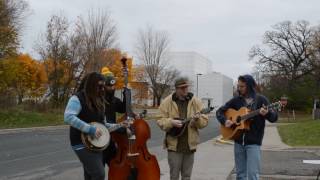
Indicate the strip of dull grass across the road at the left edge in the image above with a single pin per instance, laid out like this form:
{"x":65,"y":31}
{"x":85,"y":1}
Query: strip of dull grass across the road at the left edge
{"x":17,"y":118}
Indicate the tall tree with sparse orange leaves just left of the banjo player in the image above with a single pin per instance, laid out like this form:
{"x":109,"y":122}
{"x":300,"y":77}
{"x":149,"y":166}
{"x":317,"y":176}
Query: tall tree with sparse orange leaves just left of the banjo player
{"x":55,"y":53}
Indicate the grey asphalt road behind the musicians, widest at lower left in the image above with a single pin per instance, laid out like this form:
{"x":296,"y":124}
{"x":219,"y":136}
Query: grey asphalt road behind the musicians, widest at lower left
{"x":39,"y":154}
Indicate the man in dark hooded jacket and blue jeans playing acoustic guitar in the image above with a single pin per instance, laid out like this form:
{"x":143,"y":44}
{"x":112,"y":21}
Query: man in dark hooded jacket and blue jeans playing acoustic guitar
{"x":247,"y":153}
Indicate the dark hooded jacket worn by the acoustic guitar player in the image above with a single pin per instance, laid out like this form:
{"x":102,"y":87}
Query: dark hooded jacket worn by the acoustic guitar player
{"x":256,"y":132}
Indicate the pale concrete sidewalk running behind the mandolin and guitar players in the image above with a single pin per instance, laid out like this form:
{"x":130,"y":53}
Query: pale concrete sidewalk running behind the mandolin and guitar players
{"x":214,"y":161}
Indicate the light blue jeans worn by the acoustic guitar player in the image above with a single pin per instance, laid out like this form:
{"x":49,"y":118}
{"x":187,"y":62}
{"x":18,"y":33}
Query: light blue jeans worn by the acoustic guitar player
{"x":247,"y":160}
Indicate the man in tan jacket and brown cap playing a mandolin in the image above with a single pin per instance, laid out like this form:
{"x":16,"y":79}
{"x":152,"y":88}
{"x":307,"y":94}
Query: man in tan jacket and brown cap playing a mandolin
{"x":181,"y":104}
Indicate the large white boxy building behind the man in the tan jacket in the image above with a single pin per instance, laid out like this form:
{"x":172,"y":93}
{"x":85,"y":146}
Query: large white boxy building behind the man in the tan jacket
{"x":214,"y":88}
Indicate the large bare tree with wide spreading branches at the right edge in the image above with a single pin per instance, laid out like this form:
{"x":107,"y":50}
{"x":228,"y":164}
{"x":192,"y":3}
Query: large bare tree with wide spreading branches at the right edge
{"x":289,"y":64}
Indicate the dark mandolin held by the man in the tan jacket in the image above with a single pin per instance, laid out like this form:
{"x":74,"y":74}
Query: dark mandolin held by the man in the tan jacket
{"x":178,"y":131}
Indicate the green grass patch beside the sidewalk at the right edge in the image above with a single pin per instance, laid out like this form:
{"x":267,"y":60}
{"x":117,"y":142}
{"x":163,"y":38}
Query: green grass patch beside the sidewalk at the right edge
{"x":302,"y":132}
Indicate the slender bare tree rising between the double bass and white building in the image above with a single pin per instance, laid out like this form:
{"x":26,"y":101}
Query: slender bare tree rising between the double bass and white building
{"x":151,"y":47}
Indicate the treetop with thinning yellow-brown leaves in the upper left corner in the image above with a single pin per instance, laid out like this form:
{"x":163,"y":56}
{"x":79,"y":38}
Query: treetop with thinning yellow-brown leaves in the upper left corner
{"x":12,"y":14}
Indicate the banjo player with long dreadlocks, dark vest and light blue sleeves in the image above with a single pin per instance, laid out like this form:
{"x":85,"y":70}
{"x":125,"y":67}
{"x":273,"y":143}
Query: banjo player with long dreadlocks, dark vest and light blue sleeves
{"x":87,"y":105}
